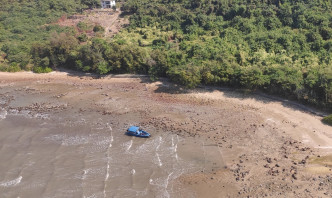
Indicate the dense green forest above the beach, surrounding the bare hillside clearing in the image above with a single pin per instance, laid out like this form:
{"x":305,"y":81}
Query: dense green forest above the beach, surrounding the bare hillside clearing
{"x":281,"y":47}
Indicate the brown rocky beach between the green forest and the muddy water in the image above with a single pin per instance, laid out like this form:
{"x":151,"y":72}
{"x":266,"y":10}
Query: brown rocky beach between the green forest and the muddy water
{"x":271,"y":148}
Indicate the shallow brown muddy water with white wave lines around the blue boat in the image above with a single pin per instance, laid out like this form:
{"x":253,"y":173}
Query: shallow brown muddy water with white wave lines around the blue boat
{"x":45,"y":155}
